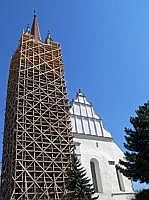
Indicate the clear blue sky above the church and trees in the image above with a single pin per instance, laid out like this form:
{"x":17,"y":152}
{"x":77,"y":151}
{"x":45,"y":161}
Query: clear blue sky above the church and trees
{"x":105,"y":45}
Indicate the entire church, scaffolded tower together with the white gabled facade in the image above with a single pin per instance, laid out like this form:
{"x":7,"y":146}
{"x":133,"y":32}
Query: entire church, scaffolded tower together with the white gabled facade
{"x":38,"y":139}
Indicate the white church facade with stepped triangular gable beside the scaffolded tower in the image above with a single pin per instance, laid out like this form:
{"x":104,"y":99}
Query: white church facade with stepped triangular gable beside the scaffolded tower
{"x":98,"y":152}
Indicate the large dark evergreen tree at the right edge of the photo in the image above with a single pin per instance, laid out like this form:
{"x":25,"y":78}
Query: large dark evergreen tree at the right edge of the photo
{"x":136,"y":165}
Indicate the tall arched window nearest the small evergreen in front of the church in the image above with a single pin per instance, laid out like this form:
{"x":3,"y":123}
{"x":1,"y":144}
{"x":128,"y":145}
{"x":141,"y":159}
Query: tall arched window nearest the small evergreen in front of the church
{"x":96,"y":177}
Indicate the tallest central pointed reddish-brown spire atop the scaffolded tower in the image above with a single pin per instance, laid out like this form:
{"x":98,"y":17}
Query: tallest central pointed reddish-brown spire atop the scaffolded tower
{"x":35,"y":28}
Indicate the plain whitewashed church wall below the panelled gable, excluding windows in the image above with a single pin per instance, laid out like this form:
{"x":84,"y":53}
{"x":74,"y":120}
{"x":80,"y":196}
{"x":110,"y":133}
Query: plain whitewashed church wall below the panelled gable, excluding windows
{"x":104,"y":152}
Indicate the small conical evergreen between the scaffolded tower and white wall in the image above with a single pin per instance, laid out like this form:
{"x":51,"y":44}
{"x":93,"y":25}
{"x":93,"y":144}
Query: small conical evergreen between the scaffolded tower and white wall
{"x":78,"y":183}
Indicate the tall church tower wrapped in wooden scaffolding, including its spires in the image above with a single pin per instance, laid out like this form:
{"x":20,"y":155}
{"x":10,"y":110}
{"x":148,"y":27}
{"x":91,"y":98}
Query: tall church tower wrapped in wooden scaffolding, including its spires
{"x":37,"y":136}
